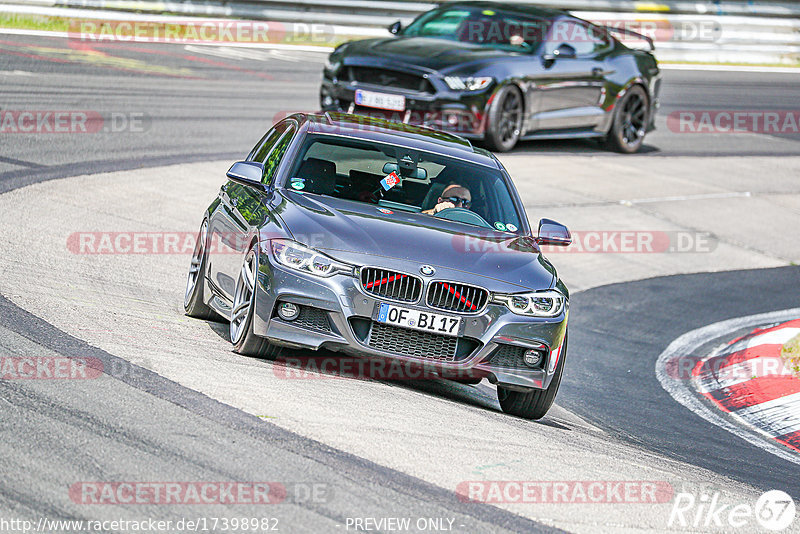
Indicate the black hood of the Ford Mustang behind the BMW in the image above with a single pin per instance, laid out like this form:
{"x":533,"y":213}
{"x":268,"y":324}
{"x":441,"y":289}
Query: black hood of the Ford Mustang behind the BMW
{"x":433,"y":54}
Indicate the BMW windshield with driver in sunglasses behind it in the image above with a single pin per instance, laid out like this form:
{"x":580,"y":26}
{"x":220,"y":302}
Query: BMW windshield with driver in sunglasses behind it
{"x":402,"y":179}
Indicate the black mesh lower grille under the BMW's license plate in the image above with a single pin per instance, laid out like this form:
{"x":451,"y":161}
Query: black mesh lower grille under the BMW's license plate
{"x":417,"y":344}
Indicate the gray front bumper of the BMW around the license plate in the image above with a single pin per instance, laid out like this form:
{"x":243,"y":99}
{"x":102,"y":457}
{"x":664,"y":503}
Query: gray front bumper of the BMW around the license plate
{"x":336,"y":314}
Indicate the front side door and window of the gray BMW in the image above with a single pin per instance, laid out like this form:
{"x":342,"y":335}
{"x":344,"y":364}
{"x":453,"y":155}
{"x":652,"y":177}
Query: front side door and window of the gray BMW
{"x":241,"y":208}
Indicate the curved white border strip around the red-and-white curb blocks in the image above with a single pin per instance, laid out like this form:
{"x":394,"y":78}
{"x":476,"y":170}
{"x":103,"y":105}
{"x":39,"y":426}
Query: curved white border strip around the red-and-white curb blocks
{"x":686,"y":344}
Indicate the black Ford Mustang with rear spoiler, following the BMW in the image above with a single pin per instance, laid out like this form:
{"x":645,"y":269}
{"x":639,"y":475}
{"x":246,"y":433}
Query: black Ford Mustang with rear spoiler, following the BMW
{"x":500,"y":73}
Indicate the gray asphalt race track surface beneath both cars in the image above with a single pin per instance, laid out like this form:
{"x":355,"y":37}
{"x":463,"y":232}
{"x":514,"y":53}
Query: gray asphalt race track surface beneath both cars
{"x":175,"y":404}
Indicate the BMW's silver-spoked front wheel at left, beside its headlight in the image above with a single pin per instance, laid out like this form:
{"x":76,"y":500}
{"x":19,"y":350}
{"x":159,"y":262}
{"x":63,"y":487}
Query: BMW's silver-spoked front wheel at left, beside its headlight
{"x":241,"y":330}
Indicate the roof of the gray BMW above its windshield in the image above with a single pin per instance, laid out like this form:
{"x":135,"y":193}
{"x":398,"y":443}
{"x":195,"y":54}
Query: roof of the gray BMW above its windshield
{"x":382,"y":130}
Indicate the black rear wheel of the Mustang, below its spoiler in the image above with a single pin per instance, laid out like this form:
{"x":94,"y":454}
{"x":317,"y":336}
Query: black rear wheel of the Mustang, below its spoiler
{"x":629,"y":125}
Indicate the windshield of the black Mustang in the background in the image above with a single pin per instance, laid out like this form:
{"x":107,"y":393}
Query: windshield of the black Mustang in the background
{"x":481,"y":26}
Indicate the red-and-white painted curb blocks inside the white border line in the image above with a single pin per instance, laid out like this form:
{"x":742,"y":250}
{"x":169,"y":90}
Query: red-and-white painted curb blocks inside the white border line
{"x":748,"y":379}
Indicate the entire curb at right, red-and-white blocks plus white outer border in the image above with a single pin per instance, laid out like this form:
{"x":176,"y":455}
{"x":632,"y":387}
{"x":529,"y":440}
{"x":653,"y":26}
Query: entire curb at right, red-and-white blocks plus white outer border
{"x":744,"y":378}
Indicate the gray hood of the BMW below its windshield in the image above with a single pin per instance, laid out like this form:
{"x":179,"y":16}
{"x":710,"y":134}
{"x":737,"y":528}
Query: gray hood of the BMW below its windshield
{"x":350,"y":230}
